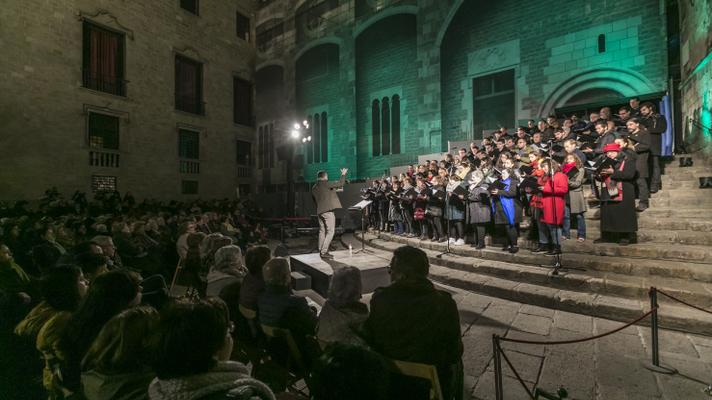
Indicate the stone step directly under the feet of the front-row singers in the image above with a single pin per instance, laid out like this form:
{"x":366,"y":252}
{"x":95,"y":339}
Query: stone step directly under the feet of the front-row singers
{"x":620,"y":265}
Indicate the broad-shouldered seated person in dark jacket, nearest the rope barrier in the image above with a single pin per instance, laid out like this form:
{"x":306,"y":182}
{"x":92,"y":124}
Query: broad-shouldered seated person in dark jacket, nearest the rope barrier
{"x":410,"y":320}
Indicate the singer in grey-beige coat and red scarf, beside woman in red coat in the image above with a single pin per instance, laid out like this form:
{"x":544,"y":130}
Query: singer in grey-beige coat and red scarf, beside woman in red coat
{"x":575,"y":201}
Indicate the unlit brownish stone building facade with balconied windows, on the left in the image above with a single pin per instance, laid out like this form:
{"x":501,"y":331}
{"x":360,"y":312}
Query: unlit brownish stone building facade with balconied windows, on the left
{"x":67,"y":122}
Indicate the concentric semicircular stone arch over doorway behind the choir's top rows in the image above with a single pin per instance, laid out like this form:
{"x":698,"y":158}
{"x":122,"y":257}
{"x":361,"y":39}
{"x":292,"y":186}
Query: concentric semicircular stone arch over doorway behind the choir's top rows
{"x":624,"y":81}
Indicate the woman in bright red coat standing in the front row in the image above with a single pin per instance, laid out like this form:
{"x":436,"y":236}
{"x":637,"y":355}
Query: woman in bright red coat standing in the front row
{"x":553,"y":201}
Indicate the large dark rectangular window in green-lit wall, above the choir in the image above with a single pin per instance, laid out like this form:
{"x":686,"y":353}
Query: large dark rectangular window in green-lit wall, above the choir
{"x":493,"y":101}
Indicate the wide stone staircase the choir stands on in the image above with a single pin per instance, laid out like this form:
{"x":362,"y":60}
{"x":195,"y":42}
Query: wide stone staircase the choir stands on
{"x":673,"y":253}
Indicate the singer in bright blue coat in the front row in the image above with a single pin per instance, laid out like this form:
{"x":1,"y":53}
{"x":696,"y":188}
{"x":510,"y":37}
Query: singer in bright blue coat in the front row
{"x":506,"y":208}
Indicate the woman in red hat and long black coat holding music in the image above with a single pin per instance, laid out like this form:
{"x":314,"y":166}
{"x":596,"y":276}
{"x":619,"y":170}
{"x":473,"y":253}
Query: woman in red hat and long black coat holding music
{"x":617,"y":179}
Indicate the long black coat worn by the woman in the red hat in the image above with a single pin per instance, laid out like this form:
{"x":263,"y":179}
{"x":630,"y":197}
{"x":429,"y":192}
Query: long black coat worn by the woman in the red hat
{"x":620,"y":216}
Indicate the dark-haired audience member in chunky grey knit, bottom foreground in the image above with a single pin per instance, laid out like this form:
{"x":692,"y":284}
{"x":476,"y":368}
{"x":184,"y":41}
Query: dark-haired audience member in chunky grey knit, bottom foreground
{"x":191,"y":354}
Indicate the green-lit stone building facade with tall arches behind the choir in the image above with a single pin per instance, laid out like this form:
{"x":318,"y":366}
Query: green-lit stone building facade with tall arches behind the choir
{"x":448,"y":63}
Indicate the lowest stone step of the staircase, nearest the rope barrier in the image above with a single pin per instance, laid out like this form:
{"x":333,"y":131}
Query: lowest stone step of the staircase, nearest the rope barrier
{"x":598,"y":305}
